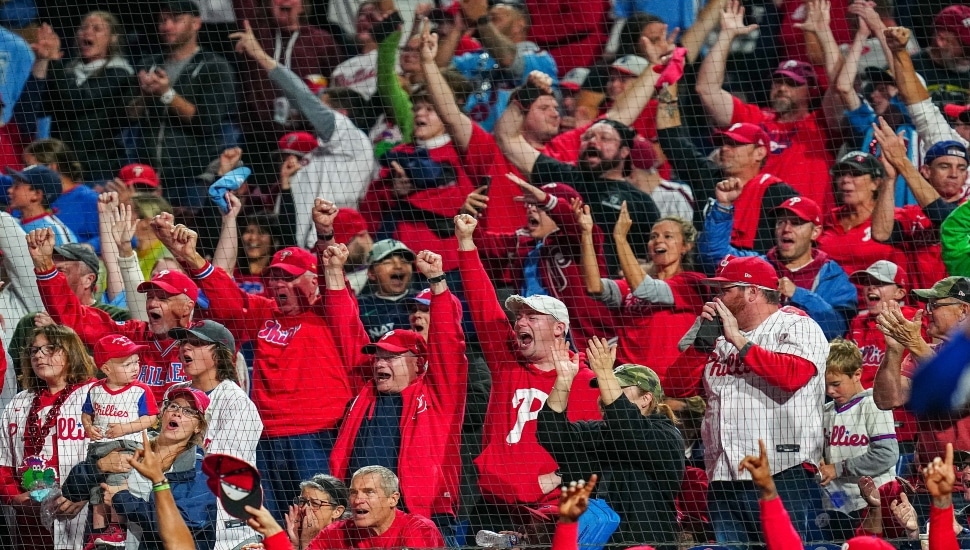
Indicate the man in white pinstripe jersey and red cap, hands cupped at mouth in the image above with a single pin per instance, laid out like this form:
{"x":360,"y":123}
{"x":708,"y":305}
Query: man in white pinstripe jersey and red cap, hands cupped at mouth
{"x":762,"y":371}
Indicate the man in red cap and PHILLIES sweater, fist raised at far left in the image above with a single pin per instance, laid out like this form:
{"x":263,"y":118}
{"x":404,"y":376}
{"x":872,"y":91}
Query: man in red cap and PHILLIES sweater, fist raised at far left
{"x":171,"y":300}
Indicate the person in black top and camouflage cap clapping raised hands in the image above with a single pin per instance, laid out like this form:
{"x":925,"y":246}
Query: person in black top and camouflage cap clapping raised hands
{"x":636,"y":448}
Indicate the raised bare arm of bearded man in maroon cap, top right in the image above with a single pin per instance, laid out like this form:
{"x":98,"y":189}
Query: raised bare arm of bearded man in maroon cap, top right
{"x":710,"y":78}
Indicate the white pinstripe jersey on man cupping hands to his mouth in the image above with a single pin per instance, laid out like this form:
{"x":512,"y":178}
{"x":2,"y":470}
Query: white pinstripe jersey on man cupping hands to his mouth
{"x":742,"y":407}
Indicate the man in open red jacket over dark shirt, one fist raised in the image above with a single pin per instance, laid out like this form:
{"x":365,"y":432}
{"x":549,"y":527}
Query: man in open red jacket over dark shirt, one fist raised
{"x":409,"y":418}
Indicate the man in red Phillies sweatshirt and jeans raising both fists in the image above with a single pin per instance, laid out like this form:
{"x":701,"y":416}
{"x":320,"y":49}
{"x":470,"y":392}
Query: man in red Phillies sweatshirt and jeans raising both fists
{"x":306,"y":338}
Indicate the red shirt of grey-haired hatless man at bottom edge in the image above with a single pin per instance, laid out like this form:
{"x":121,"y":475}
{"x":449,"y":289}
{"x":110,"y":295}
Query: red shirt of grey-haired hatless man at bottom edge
{"x":407,"y":531}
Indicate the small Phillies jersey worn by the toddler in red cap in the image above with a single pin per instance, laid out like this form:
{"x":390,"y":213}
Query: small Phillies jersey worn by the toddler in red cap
{"x":121,"y":406}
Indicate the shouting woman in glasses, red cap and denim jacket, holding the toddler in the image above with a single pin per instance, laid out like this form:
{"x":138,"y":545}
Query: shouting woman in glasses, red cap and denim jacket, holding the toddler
{"x":182,"y":429}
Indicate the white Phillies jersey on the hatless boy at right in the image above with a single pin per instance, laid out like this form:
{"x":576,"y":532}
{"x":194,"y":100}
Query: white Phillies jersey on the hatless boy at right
{"x":849,"y":429}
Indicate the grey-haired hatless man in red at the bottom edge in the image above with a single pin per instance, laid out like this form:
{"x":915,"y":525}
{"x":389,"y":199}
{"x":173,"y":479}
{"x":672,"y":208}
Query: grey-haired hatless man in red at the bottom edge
{"x":376,"y":522}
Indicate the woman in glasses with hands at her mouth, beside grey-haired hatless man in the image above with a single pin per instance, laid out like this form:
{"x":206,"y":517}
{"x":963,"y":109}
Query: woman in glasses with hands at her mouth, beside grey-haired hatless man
{"x":323,"y":500}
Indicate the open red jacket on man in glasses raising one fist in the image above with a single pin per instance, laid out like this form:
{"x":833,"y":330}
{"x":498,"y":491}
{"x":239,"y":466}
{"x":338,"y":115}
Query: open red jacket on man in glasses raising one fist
{"x":429,"y":463}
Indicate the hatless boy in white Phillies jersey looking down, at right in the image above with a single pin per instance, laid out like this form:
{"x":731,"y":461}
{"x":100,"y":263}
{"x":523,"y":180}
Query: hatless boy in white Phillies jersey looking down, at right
{"x":860,"y":440}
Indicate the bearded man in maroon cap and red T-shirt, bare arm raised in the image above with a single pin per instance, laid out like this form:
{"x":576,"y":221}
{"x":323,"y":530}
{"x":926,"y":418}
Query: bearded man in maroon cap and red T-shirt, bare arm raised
{"x":797,"y":153}
